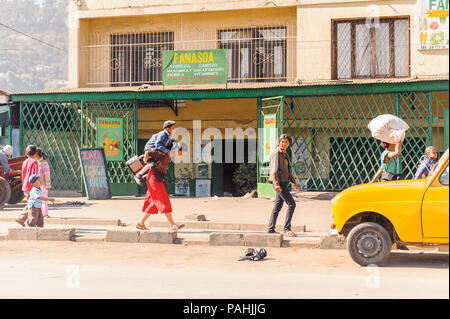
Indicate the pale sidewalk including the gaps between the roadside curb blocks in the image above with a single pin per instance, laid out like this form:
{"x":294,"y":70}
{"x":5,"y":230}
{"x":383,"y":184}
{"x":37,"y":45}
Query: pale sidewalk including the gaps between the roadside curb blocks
{"x":92,"y":219}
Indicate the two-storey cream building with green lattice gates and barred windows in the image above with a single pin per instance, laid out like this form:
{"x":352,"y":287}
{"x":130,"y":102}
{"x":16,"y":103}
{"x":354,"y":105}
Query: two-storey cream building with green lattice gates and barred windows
{"x":320,"y":69}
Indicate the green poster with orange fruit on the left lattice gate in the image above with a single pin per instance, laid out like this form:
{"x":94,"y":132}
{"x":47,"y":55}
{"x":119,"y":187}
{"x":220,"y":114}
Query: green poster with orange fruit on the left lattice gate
{"x":110,"y":137}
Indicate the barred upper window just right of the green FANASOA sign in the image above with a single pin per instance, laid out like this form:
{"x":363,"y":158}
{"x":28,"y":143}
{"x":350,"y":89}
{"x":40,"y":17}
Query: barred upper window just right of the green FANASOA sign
{"x":255,"y":54}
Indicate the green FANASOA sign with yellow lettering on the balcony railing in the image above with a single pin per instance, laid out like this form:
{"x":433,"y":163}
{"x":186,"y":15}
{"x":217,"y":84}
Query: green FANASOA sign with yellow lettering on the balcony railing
{"x":194,"y":67}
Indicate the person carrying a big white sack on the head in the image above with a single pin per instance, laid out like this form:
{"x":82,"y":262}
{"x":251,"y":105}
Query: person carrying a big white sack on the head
{"x":390,"y":130}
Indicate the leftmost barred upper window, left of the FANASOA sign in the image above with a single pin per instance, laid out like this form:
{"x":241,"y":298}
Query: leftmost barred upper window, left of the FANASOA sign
{"x":136,"y":59}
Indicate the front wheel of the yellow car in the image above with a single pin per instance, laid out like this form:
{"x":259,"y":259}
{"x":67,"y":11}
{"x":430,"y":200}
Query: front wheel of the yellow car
{"x":369,"y":244}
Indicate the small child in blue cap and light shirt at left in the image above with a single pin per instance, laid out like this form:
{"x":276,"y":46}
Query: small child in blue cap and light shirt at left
{"x":34,"y":205}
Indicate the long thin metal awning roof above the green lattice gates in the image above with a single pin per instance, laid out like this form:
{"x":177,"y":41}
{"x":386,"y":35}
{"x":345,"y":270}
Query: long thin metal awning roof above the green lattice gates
{"x":236,"y":86}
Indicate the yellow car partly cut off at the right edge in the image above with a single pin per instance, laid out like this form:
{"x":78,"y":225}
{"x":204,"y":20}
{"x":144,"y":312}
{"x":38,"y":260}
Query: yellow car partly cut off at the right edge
{"x":411,"y":212}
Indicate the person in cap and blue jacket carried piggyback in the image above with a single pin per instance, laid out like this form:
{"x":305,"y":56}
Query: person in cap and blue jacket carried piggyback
{"x":160,"y":141}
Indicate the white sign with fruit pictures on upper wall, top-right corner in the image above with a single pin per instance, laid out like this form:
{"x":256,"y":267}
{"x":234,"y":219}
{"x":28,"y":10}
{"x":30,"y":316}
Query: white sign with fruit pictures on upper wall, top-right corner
{"x":433,"y":28}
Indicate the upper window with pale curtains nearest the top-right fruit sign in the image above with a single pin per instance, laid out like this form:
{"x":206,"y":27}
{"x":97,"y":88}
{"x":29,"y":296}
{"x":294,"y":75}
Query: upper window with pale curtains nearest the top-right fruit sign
{"x":371,"y":48}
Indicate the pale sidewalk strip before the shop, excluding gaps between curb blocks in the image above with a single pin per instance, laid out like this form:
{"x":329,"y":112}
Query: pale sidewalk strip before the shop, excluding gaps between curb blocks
{"x":313,"y":210}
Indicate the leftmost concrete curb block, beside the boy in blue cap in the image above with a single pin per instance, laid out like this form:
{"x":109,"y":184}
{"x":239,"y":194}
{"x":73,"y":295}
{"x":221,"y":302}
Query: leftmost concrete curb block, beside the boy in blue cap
{"x":37,"y":233}
